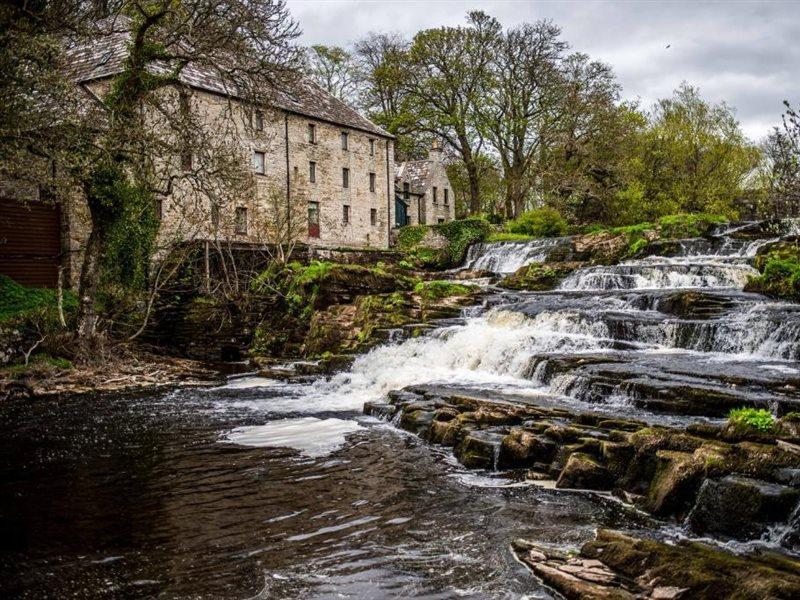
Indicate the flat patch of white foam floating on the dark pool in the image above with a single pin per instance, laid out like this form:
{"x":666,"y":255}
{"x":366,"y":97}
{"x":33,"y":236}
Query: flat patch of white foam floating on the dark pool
{"x":311,"y":436}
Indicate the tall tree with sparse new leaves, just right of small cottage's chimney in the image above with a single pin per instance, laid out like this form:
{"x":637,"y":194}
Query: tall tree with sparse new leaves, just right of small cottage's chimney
{"x":448,"y":69}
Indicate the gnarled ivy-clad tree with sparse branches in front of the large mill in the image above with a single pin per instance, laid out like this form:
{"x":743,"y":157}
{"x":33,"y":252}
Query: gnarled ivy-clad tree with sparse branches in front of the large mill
{"x":243,"y":46}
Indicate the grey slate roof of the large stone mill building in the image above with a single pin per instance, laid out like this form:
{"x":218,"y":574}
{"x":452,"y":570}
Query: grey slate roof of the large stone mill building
{"x":106,"y":55}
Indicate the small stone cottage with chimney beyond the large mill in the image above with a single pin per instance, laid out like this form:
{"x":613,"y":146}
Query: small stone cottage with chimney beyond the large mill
{"x":423,"y":194}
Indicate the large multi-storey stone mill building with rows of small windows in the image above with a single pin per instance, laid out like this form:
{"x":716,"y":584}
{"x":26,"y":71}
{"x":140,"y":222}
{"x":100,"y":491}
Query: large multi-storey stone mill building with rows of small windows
{"x":321,"y":172}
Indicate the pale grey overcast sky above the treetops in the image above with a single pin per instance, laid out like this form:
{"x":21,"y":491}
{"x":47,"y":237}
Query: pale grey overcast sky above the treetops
{"x":745,"y":53}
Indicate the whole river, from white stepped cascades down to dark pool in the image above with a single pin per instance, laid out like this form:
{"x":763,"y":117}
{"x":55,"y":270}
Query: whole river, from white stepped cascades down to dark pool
{"x":266,"y":489}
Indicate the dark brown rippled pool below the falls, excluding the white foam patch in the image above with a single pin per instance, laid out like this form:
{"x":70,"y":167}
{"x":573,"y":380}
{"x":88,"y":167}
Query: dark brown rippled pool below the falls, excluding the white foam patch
{"x":121,"y":497}
